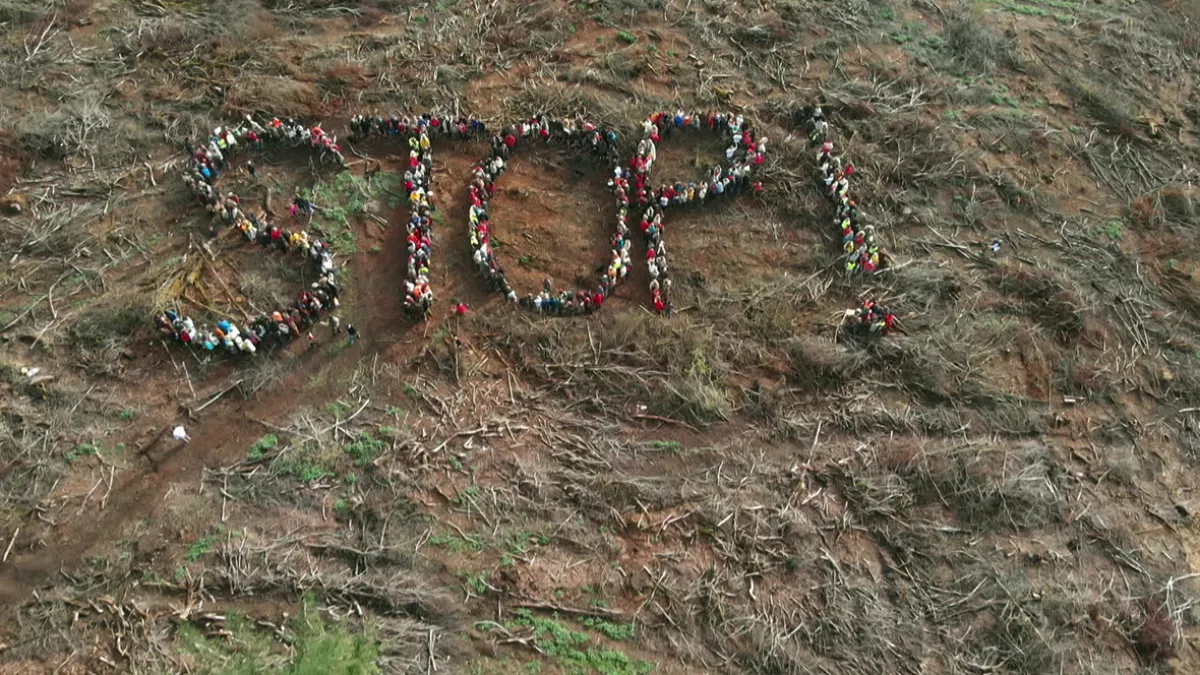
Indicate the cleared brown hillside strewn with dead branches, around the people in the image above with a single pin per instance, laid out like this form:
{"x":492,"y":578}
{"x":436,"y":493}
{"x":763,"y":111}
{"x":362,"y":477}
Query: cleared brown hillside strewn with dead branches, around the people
{"x":1006,"y":485}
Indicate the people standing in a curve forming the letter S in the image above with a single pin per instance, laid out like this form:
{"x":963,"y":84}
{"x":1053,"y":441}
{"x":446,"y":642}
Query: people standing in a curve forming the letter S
{"x":208,"y":163}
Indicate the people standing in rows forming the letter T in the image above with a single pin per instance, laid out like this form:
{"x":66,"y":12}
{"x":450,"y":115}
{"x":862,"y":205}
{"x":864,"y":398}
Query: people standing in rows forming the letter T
{"x":419,"y":132}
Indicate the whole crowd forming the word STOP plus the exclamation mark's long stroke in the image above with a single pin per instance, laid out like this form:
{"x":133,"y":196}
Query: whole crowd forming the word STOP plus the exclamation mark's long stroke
{"x":631,"y":186}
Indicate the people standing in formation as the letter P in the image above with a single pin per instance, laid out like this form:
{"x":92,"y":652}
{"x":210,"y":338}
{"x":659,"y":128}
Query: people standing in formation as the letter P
{"x":747,"y":152}
